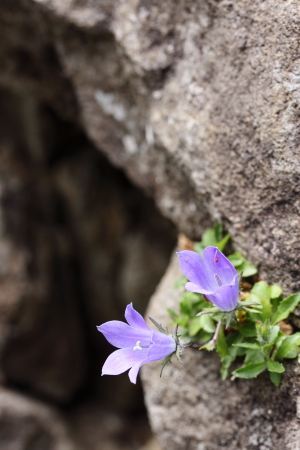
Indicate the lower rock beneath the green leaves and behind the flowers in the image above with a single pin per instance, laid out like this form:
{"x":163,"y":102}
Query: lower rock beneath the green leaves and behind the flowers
{"x":191,"y":408}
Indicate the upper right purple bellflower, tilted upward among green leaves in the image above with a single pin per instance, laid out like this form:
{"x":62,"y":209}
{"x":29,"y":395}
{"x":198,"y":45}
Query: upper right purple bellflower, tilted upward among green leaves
{"x":213,"y":276}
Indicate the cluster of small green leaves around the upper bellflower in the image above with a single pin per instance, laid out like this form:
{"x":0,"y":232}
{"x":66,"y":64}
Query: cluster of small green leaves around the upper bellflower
{"x":258,"y":336}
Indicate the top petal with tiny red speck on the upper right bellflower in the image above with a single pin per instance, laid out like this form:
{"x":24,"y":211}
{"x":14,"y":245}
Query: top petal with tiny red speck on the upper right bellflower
{"x":219,"y":265}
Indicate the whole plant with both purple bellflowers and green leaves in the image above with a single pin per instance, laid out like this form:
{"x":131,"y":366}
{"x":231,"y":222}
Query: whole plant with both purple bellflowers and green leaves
{"x":225,"y":307}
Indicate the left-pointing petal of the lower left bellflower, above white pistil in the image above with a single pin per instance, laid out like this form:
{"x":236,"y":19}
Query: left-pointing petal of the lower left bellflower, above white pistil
{"x":122,"y":335}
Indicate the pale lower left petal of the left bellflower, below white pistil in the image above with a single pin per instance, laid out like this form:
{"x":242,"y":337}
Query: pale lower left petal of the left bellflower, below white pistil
{"x":122,"y":360}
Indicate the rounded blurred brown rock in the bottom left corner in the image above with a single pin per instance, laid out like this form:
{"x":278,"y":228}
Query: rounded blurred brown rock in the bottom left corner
{"x":27,"y":424}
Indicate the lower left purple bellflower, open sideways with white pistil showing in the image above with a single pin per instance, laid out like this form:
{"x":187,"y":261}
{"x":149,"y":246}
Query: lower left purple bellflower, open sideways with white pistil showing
{"x":138,"y":344}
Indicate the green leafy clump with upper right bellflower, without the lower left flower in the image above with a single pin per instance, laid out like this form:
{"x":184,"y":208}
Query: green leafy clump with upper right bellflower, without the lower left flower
{"x":251,"y":323}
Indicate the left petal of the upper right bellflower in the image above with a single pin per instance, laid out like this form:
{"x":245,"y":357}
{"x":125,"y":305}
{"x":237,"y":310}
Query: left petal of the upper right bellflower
{"x":195,"y":269}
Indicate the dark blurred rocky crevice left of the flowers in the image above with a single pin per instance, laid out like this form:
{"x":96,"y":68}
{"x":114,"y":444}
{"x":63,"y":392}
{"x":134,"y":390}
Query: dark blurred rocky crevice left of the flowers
{"x":78,"y":243}
